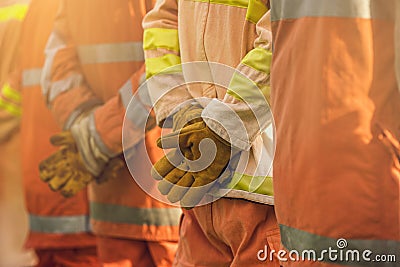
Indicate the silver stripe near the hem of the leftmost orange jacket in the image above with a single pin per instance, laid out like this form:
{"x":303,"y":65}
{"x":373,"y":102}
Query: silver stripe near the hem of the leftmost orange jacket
{"x":59,"y":224}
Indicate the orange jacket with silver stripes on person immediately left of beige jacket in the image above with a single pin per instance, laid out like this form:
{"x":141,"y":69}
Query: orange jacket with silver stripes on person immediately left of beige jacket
{"x":94,"y":49}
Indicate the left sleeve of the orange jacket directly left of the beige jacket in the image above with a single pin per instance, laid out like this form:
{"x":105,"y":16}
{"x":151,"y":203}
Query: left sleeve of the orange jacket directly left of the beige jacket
{"x":63,"y":83}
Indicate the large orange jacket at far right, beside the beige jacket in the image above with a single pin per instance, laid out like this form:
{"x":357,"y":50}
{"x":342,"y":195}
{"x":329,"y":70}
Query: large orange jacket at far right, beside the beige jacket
{"x":336,"y":105}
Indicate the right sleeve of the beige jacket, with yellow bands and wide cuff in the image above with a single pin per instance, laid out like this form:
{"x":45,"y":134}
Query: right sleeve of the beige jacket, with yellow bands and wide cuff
{"x":248,"y":92}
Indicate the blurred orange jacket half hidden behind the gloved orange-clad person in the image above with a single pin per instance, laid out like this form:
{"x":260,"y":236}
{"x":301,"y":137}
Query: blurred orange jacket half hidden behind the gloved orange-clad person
{"x":55,"y":222}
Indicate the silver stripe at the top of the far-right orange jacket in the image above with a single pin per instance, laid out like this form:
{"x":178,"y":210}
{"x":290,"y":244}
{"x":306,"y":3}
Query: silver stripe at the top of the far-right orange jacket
{"x":294,"y":9}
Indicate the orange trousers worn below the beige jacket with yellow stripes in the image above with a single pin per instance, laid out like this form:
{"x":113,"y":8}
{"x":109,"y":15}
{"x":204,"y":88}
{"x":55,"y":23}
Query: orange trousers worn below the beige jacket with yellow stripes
{"x":228,"y":232}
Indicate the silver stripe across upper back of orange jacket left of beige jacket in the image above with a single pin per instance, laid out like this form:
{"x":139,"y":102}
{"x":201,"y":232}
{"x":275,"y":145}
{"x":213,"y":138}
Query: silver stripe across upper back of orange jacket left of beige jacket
{"x":110,"y":53}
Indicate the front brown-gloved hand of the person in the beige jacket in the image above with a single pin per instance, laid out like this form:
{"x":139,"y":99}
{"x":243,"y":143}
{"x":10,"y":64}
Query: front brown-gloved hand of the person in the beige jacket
{"x":198,"y":168}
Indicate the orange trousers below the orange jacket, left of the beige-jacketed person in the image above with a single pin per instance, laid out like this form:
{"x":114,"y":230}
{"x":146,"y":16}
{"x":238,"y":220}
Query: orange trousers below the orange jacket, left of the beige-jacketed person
{"x":115,"y":252}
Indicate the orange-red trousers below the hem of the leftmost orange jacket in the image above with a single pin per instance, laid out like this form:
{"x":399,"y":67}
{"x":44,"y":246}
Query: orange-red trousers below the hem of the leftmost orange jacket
{"x":78,"y":257}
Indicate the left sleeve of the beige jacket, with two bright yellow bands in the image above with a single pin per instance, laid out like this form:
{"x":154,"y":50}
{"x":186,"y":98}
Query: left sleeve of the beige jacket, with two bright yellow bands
{"x":162,"y":57}
